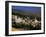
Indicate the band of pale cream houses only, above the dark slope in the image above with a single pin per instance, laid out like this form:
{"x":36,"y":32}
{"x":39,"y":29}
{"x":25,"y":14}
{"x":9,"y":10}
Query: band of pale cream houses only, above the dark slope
{"x":27,"y":21}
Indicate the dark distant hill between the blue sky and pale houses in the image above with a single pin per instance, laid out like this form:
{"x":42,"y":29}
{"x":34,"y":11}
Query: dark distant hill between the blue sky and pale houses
{"x":26,"y":13}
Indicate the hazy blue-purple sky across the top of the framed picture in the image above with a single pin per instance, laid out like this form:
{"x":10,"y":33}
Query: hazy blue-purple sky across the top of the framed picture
{"x":27,"y":8}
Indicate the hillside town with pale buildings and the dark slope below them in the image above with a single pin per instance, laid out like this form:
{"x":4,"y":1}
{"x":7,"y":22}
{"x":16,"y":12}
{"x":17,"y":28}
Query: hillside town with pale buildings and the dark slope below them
{"x":26,"y":22}
